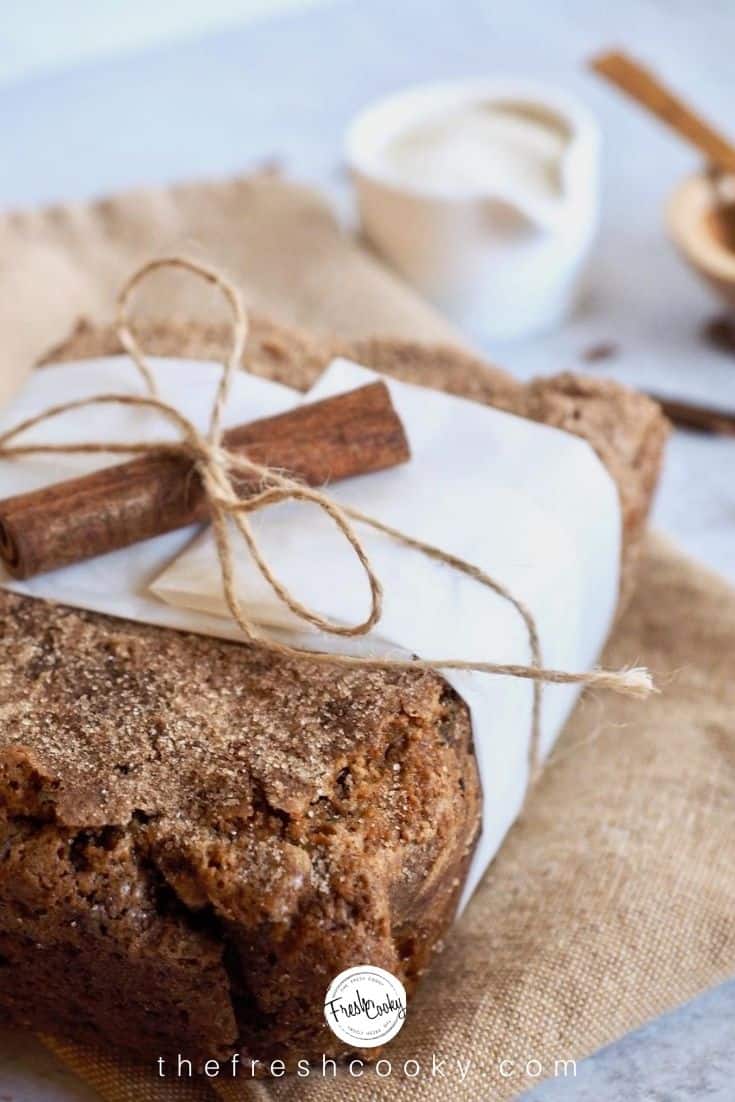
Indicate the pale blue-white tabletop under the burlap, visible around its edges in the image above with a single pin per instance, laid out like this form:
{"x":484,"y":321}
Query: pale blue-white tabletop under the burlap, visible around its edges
{"x":286,"y":89}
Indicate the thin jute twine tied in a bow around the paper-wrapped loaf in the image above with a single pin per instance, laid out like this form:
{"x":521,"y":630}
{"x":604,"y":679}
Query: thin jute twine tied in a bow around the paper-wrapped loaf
{"x":217,"y":468}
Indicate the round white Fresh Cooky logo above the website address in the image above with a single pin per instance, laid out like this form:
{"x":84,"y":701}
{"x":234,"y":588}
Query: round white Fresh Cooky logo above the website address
{"x":365,"y":1007}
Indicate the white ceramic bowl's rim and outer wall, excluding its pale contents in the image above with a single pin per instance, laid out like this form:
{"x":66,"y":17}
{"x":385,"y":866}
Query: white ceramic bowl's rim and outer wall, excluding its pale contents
{"x":500,"y":266}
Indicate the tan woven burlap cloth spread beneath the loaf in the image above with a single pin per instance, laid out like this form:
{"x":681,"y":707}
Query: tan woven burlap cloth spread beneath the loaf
{"x":613,"y":899}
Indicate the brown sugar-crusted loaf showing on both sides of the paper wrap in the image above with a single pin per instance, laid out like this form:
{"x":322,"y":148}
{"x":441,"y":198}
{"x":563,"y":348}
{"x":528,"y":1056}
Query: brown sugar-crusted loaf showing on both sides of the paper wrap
{"x":197,"y":837}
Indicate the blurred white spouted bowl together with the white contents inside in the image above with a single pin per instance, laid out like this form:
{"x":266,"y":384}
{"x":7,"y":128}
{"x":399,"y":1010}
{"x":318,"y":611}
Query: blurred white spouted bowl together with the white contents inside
{"x":484,"y":197}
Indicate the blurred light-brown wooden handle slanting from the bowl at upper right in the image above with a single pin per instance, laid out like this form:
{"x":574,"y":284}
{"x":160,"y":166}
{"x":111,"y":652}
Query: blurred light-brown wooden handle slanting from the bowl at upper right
{"x":646,"y":89}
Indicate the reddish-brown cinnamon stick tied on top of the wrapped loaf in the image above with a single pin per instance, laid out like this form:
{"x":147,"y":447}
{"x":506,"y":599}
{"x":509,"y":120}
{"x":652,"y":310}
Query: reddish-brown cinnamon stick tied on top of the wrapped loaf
{"x":320,"y":442}
